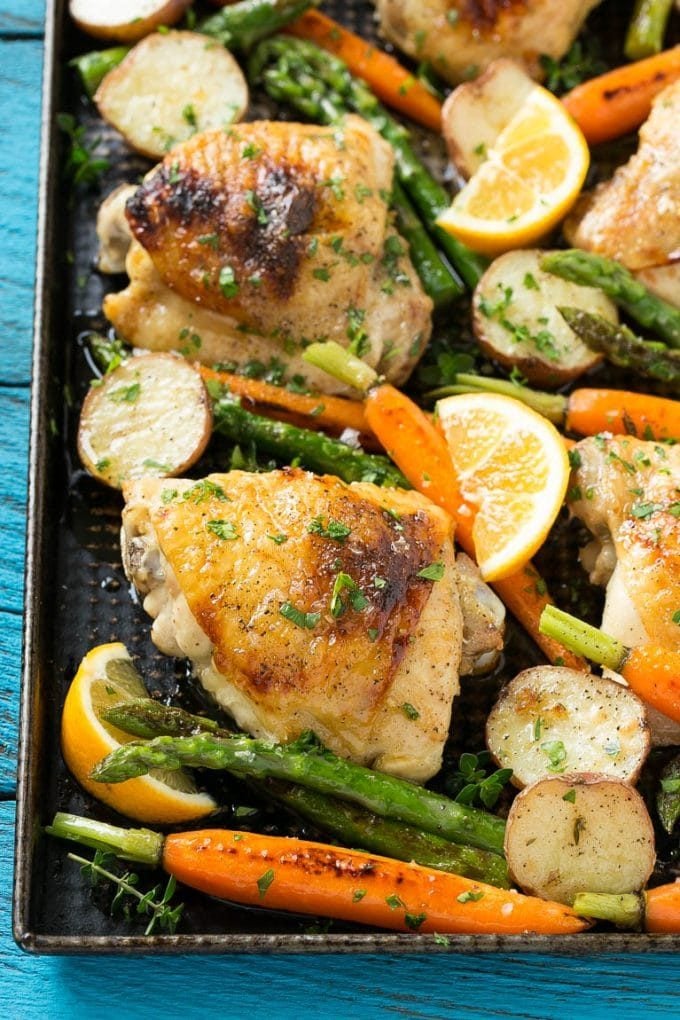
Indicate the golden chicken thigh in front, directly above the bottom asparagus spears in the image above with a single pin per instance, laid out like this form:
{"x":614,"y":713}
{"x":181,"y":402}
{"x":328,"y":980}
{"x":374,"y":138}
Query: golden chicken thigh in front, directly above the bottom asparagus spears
{"x":393,"y":641}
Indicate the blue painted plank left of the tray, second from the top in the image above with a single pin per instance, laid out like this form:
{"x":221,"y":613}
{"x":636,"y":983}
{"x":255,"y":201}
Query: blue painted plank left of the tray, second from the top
{"x":21,"y":70}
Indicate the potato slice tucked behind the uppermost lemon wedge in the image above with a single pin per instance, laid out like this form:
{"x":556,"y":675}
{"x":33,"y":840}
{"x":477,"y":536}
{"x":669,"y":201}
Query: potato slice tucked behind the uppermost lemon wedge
{"x":477,"y":113}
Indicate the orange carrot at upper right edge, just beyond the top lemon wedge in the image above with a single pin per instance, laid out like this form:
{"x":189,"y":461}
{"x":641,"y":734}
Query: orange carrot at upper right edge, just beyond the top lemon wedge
{"x":619,"y":101}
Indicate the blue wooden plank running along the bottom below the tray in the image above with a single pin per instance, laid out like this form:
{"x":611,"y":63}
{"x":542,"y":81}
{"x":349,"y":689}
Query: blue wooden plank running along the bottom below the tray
{"x":367,"y":987}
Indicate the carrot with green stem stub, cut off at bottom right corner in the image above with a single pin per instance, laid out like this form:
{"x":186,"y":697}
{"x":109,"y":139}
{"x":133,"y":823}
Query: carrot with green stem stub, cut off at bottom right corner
{"x":656,"y":910}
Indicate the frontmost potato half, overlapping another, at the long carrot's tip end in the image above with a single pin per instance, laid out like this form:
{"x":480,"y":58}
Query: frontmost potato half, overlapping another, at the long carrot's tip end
{"x":580,"y":834}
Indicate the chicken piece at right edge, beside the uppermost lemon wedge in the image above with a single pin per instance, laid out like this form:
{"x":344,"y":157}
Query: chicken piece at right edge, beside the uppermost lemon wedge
{"x":636,"y":217}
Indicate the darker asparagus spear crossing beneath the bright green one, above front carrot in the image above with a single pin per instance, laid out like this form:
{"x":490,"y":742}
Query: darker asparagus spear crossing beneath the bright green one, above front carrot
{"x":353,"y":826}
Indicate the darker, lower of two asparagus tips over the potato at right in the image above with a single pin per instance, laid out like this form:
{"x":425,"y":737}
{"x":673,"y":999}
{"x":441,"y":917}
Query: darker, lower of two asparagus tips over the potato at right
{"x":623,"y":348}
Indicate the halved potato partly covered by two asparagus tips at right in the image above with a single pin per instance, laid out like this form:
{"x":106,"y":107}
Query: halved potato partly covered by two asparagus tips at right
{"x":516,"y":320}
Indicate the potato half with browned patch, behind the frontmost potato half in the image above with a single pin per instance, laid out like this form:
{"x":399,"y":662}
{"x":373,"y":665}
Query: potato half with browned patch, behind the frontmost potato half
{"x":551,"y":720}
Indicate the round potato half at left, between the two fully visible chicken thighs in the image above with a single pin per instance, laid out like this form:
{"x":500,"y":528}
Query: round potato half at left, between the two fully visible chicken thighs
{"x":151,"y":416}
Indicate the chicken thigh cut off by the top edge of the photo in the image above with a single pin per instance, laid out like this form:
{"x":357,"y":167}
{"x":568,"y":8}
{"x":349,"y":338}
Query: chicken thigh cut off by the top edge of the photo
{"x":457,"y":36}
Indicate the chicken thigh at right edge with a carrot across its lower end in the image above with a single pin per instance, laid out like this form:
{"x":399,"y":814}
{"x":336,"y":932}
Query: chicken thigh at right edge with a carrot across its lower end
{"x":631,"y":499}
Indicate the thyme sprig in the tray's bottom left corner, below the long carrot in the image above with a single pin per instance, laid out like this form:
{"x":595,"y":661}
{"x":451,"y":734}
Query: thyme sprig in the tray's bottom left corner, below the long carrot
{"x":153,"y":904}
